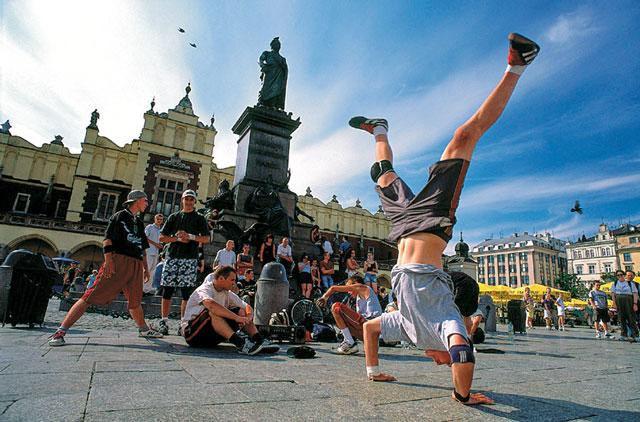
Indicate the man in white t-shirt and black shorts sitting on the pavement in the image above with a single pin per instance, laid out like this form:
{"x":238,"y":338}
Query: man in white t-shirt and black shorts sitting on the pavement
{"x":214,"y":314}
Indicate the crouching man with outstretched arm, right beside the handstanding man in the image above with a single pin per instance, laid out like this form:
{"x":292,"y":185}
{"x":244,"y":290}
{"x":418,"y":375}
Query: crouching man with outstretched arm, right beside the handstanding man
{"x":350,"y":322}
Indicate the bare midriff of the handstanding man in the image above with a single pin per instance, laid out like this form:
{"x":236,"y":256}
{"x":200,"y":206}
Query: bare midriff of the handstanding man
{"x":421,"y":248}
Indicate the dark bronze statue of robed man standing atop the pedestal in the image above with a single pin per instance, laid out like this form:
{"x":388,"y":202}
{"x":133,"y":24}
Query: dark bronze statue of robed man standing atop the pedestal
{"x":273,"y":75}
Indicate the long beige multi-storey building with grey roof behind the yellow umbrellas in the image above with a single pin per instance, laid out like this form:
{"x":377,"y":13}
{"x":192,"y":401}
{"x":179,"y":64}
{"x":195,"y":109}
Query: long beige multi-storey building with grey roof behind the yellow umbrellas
{"x":520,"y":259}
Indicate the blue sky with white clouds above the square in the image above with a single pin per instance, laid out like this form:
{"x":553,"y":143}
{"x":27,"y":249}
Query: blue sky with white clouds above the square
{"x":570,"y":131}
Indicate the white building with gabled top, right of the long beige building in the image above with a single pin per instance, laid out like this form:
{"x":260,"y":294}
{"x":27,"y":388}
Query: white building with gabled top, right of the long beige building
{"x":589,"y":258}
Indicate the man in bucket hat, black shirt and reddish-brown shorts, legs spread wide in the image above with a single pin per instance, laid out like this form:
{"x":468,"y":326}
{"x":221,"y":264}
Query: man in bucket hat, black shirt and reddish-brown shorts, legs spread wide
{"x":124,"y":269}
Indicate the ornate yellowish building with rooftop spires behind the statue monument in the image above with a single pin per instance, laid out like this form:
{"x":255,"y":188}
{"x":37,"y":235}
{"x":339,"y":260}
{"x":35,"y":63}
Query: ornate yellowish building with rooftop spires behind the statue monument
{"x":58,"y":203}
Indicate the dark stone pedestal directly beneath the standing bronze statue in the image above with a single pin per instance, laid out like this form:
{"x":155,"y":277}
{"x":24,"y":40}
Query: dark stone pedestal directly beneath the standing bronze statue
{"x":263,"y":154}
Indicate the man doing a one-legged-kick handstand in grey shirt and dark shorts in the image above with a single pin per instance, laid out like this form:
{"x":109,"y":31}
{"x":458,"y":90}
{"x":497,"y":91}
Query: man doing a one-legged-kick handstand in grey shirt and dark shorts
{"x":422,"y":225}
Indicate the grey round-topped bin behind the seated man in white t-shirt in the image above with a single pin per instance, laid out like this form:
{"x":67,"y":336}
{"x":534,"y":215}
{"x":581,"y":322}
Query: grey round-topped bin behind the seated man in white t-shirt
{"x":272,"y":293}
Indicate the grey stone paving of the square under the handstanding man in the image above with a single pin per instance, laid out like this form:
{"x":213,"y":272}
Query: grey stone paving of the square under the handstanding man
{"x":106,"y":372}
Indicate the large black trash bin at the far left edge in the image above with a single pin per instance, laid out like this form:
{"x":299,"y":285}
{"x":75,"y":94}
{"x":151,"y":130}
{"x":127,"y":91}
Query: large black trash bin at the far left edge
{"x":26,"y":279}
